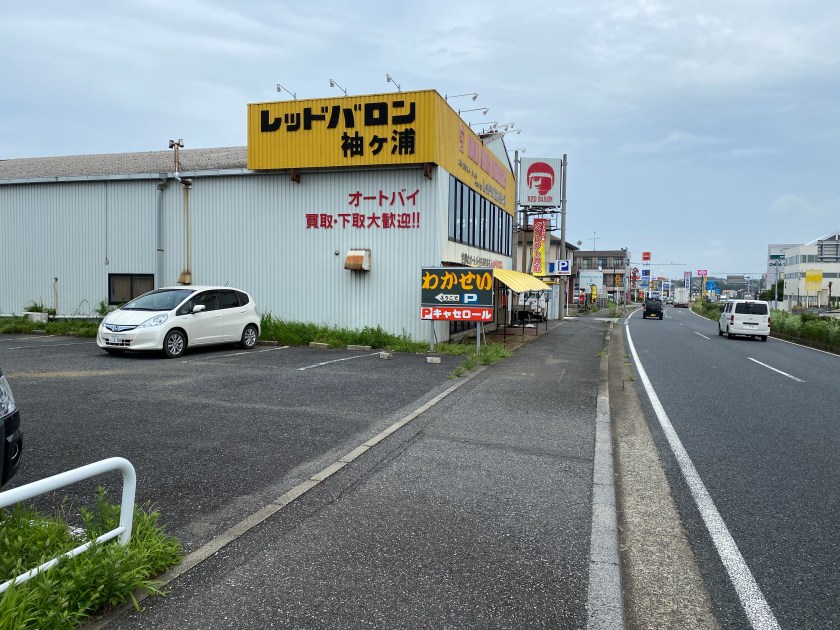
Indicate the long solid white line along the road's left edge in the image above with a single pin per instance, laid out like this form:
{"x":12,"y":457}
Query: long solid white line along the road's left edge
{"x":752,"y":599}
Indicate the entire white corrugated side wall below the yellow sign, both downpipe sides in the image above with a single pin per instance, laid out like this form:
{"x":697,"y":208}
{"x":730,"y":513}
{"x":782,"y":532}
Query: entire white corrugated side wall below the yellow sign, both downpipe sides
{"x":247,"y":231}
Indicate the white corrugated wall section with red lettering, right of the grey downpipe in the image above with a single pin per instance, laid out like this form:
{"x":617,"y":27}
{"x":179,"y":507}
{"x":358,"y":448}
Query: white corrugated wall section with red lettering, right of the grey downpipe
{"x":250,"y":232}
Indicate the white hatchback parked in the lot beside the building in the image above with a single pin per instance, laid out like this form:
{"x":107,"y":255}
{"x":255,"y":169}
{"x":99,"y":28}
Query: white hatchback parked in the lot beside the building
{"x":173,"y":318}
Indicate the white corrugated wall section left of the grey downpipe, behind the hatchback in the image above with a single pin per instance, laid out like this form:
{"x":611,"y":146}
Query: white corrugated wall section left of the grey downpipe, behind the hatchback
{"x":58,"y":230}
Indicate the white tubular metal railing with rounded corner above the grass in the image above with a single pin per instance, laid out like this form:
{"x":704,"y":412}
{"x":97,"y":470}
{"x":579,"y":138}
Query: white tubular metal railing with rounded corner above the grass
{"x":123,"y":532}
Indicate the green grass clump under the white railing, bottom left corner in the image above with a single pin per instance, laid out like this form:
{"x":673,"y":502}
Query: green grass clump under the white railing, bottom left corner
{"x":106,"y":575}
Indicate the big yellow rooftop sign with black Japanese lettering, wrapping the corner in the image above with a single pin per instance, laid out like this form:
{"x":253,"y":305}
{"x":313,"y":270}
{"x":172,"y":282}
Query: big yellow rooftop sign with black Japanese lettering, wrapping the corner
{"x":376,"y":130}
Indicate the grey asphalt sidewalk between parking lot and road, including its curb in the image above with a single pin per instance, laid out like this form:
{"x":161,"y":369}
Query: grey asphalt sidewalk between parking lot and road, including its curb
{"x":476,"y":513}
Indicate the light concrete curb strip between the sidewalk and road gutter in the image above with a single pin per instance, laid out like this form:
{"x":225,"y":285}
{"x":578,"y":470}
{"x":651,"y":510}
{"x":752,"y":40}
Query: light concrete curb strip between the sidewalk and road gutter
{"x":604,"y":605}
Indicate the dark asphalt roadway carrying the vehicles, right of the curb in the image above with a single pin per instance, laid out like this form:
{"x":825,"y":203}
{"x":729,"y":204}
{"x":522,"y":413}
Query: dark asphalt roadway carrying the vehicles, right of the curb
{"x":759,"y":422}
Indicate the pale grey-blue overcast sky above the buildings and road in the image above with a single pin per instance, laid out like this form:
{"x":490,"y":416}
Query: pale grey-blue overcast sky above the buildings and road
{"x":698,"y":131}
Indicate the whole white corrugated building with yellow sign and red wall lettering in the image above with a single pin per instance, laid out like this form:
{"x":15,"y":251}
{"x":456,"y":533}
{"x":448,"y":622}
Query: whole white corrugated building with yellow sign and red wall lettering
{"x":79,"y":231}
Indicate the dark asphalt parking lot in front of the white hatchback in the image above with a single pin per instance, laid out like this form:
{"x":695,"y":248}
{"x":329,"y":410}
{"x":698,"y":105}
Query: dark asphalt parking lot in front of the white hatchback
{"x":196,"y":428}
